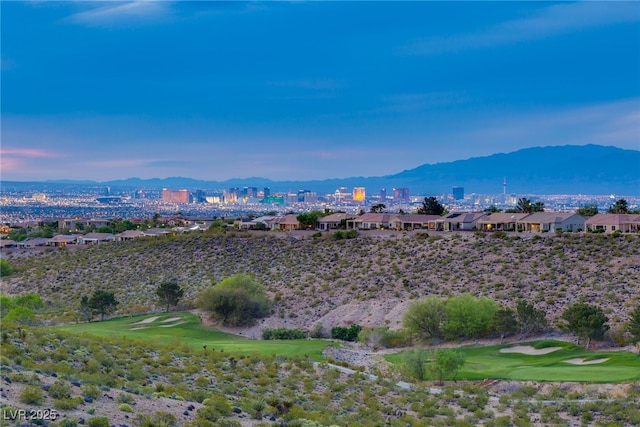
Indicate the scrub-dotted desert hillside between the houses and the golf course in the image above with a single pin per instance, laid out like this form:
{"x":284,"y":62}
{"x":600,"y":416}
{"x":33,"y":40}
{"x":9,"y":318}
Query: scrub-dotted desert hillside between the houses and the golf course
{"x":369,"y":280}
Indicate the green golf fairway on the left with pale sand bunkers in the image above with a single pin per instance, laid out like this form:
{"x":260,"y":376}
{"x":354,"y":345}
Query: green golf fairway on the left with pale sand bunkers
{"x":188,"y":329}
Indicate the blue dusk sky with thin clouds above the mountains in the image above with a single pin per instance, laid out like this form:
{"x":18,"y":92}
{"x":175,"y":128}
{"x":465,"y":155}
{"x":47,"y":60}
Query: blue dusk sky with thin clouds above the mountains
{"x":307,"y":90}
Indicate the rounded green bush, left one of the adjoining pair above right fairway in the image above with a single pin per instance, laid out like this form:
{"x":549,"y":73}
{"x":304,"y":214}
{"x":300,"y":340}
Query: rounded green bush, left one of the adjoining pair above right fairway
{"x":425,"y":317}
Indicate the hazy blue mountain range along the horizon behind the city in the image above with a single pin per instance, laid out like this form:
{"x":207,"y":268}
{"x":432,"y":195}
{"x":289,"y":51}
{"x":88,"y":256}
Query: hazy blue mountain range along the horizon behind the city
{"x":570,"y":169}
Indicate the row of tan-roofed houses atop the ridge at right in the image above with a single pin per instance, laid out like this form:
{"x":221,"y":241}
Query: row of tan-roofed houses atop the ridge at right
{"x":538,"y":222}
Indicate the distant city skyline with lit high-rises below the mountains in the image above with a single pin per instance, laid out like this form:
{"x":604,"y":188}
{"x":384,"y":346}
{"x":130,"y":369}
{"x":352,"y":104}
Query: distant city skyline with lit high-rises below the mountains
{"x":29,"y":204}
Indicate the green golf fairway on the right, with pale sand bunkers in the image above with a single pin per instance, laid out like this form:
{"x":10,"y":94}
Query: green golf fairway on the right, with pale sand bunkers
{"x":488,"y":362}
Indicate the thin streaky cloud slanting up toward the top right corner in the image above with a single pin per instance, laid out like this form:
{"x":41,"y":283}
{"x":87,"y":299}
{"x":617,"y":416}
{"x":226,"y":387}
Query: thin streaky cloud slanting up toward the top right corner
{"x":547,"y":22}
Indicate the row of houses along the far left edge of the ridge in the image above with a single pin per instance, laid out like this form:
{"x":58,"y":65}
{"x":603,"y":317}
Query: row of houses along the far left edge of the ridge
{"x":94,"y":238}
